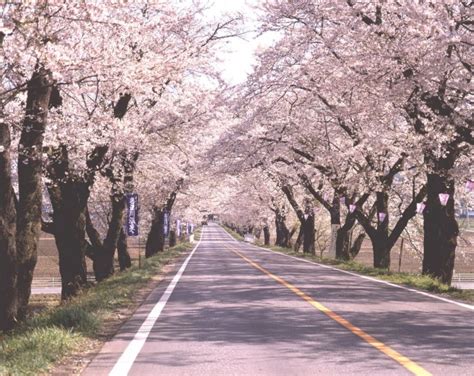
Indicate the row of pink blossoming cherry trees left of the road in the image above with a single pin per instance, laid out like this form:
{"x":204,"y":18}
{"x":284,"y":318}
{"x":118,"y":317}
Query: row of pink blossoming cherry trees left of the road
{"x":97,"y":100}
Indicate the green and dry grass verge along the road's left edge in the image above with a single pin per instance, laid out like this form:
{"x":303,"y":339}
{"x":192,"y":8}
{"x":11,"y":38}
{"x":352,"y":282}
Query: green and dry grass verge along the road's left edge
{"x":53,"y":334}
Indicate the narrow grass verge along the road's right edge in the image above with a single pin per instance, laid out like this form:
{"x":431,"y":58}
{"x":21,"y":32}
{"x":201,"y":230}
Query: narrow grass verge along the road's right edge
{"x":417,"y":281}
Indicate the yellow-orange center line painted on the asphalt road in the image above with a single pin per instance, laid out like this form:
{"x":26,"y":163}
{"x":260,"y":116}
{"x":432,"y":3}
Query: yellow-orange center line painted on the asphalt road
{"x":387,"y":350}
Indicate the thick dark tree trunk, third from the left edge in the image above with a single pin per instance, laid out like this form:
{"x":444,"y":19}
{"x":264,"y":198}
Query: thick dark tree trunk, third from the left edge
{"x":69,"y":202}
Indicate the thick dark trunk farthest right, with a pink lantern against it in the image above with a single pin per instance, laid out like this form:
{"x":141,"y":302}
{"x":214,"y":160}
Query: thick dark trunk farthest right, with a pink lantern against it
{"x":440,"y":229}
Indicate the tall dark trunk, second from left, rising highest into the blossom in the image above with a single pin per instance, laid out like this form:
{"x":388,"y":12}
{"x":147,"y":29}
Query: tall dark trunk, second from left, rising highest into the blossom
{"x":30,"y":183}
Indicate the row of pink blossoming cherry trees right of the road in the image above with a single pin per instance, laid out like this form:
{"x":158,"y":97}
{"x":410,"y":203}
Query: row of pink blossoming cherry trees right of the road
{"x":363,"y":109}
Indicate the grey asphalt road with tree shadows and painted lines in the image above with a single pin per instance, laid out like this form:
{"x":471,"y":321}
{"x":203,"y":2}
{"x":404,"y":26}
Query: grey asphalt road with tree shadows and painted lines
{"x":241,"y":310}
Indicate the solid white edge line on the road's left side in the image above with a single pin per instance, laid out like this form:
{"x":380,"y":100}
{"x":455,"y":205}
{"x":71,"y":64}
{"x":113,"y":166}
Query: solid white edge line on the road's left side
{"x":126,"y":360}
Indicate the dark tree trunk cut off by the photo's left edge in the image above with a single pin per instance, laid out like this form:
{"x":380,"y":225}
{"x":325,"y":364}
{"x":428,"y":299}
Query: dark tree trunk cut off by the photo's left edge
{"x":8,"y":257}
